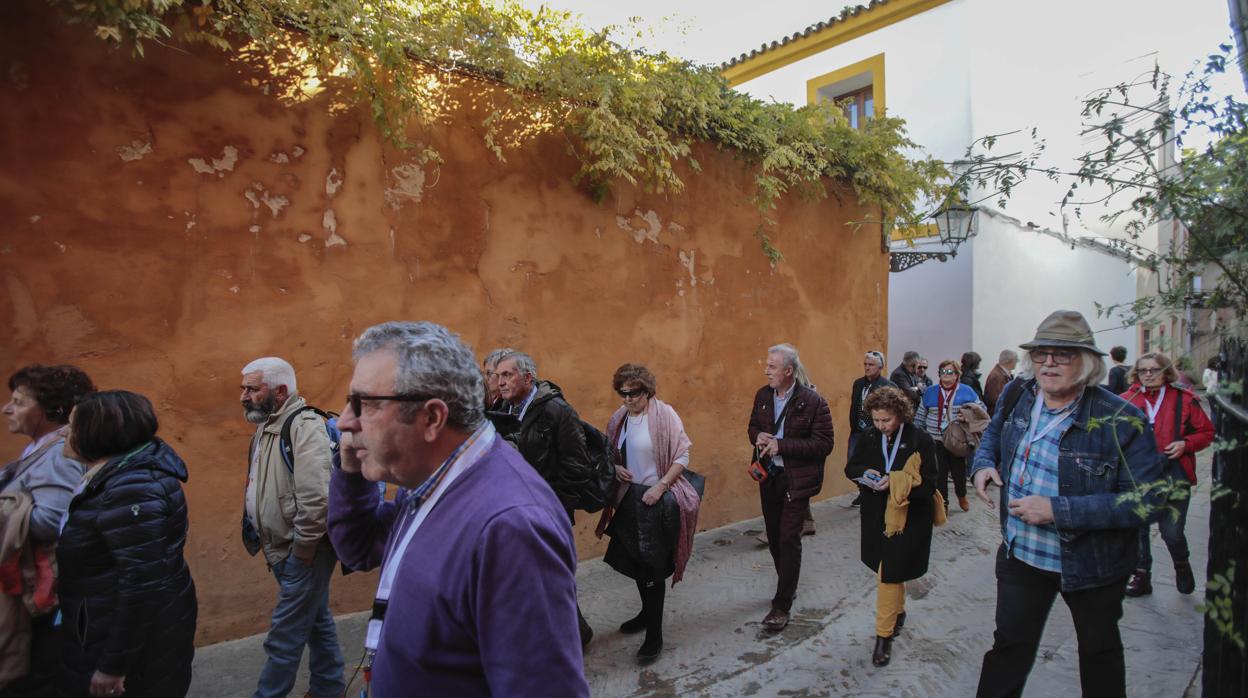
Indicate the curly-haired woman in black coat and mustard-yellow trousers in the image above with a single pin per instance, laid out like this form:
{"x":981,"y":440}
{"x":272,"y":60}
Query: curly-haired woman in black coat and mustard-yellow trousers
{"x":894,"y":465}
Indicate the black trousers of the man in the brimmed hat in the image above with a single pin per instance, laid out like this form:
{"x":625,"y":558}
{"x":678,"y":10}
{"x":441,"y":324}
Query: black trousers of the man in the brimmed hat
{"x":1025,"y":595}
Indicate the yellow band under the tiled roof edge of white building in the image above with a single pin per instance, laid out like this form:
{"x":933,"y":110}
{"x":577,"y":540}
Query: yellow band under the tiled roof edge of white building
{"x":838,"y":33}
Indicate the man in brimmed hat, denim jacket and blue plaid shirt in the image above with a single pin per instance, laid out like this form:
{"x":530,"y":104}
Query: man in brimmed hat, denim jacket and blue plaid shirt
{"x":1078,"y":468}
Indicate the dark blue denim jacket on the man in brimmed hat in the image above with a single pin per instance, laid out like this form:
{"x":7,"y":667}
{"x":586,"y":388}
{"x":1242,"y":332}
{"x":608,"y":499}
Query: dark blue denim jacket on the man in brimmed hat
{"x":1098,"y":465}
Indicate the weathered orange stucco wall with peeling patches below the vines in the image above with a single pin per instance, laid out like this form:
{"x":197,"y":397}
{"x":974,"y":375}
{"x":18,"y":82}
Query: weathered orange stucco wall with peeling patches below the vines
{"x":165,"y":220}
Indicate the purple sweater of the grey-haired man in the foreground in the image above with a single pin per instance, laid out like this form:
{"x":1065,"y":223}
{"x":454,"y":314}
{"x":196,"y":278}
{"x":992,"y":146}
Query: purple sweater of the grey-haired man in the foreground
{"x":485,"y":602}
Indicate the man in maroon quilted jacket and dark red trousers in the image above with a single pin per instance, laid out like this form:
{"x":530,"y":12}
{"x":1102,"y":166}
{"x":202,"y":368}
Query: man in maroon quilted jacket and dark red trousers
{"x":793,"y":430}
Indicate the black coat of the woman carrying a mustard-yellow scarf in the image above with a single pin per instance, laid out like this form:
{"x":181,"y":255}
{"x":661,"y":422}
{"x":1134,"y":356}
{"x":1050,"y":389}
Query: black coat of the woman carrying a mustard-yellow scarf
{"x":905,"y":555}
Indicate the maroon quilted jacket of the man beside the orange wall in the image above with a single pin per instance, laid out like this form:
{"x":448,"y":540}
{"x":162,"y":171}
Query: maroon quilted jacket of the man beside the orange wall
{"x":808,"y":438}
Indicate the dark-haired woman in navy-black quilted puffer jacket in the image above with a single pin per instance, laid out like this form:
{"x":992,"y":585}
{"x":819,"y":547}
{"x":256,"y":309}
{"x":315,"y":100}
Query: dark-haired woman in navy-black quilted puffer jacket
{"x":128,"y":600}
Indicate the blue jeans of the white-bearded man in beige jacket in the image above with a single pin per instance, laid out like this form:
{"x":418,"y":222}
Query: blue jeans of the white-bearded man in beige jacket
{"x":303,"y":617}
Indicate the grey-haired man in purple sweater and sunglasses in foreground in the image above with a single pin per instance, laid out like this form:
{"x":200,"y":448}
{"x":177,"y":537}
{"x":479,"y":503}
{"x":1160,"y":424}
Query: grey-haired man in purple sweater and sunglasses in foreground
{"x":479,"y":591}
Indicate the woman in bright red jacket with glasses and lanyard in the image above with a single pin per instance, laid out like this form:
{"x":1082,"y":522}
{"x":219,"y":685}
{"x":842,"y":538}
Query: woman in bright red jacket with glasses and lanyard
{"x":1181,"y":429}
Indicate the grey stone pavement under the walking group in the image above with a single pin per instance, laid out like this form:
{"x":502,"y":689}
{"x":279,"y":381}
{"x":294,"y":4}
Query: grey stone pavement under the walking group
{"x":716,"y":646}
